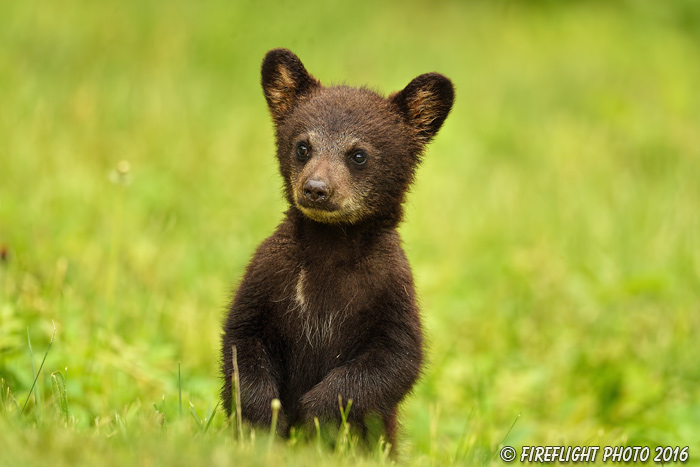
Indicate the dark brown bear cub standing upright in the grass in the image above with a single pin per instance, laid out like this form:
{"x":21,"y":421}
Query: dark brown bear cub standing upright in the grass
{"x":327,"y":306}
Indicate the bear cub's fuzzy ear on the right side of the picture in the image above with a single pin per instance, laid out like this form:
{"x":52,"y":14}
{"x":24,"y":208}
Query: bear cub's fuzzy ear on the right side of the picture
{"x":425,"y":103}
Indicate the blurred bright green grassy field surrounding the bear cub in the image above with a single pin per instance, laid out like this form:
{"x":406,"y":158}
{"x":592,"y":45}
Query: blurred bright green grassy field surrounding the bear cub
{"x":554,"y":229}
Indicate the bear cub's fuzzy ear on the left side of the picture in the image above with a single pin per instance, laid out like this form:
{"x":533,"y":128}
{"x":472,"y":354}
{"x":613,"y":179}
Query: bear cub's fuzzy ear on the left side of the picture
{"x":284,"y":81}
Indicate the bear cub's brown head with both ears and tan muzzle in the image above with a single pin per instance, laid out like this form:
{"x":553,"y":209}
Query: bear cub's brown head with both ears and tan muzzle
{"x":348,"y":155}
